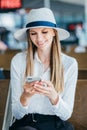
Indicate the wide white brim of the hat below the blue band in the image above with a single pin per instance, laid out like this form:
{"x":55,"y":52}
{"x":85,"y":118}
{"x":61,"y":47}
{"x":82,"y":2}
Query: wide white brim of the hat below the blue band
{"x":21,"y":34}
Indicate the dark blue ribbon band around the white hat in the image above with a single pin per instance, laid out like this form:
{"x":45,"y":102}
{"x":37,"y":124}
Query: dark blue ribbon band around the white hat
{"x":41,"y":23}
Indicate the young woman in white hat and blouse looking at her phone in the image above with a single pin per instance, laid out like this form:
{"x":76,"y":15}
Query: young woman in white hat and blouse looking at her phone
{"x":44,"y":104}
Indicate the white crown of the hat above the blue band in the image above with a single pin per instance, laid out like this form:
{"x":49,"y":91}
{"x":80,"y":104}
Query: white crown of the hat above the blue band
{"x":41,"y":14}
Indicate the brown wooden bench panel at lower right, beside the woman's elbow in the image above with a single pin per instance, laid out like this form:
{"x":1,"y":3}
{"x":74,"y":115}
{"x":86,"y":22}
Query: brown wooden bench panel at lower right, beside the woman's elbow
{"x":79,"y":116}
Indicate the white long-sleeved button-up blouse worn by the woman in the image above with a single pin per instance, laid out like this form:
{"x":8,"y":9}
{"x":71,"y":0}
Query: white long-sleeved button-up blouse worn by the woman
{"x":40,"y":103}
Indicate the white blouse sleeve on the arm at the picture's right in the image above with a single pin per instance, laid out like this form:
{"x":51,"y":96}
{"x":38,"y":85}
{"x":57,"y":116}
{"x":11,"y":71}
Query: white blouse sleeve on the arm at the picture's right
{"x":64,"y":107}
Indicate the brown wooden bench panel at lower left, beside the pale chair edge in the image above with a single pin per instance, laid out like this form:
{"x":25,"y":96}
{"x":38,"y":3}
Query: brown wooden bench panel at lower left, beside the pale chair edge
{"x":4,"y":86}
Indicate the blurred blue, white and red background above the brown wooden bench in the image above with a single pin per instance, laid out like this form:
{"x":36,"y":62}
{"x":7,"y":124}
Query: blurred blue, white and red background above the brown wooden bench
{"x":70,"y":15}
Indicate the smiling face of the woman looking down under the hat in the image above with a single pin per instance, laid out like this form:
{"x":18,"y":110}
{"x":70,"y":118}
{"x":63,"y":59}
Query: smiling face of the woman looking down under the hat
{"x":42,"y":37}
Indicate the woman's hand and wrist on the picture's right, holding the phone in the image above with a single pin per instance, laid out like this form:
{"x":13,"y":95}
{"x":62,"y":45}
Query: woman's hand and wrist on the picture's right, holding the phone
{"x":46,"y":88}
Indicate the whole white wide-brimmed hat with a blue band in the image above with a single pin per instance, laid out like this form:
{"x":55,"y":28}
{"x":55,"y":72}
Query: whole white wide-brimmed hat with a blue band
{"x":41,"y":17}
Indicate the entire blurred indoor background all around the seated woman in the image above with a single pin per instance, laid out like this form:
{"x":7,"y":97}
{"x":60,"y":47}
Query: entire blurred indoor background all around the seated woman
{"x":69,"y":14}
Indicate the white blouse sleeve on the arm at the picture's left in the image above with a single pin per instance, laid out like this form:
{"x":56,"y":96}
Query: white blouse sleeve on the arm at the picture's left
{"x":16,"y":83}
